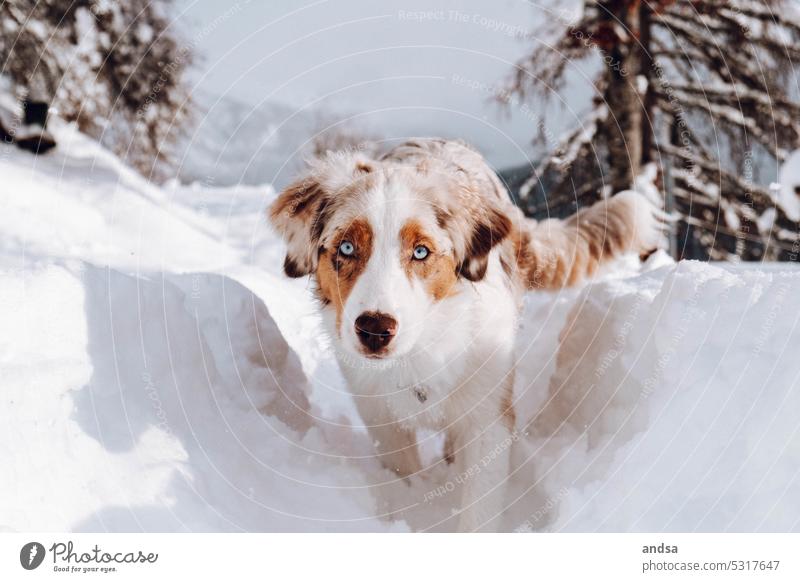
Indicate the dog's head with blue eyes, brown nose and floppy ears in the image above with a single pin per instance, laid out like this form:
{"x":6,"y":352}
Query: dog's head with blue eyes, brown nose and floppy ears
{"x":386,"y":241}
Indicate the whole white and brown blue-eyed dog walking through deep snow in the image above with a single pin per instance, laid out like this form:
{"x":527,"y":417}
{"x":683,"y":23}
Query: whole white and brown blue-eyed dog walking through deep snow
{"x":420,"y":262}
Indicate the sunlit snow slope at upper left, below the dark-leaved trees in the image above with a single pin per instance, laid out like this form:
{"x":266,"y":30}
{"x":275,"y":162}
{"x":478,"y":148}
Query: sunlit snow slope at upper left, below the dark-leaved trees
{"x":82,"y":202}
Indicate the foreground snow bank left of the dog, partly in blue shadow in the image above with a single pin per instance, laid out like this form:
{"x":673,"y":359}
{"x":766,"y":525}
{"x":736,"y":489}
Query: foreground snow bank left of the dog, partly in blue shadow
{"x":170,"y":403}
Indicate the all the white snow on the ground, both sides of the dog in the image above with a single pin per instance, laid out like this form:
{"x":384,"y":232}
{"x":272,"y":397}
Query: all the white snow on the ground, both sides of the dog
{"x":160,"y":374}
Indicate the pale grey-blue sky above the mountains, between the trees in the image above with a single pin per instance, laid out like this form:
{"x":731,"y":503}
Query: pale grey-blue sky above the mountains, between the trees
{"x":400,"y":68}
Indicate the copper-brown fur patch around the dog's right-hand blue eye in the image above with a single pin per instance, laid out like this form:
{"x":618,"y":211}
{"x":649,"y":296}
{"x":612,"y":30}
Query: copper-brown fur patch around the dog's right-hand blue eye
{"x":438,"y":270}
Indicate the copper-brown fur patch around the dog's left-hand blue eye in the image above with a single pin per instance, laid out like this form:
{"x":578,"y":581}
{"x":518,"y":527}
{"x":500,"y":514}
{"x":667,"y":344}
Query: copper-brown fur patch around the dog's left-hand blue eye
{"x":336,"y":273}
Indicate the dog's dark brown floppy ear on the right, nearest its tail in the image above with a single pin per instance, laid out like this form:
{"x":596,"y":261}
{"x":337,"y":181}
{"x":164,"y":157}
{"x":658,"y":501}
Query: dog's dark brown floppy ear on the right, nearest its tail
{"x":487,"y":229}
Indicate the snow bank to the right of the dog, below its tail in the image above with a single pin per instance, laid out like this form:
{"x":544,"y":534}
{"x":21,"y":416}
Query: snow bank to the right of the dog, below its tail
{"x":670,"y":404}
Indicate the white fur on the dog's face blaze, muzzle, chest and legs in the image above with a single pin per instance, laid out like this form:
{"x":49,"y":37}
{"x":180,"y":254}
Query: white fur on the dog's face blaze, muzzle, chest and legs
{"x":459,"y":351}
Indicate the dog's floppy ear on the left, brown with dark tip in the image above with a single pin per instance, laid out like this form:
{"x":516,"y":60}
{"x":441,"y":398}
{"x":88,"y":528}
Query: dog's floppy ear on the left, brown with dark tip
{"x":296,"y":215}
